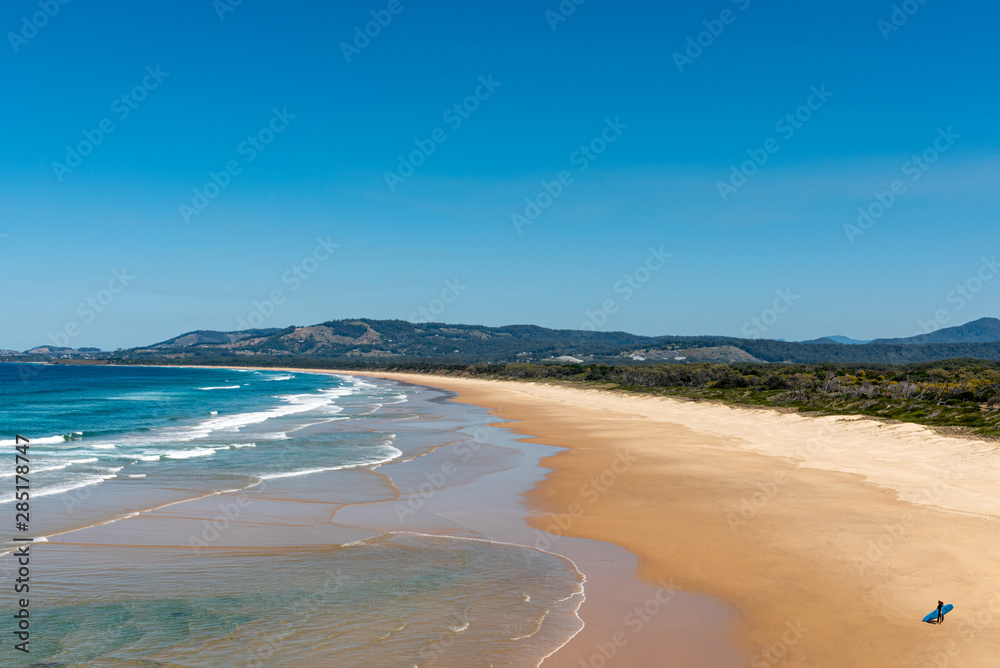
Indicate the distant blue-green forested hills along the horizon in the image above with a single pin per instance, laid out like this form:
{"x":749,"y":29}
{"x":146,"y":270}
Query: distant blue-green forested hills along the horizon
{"x":365,"y":340}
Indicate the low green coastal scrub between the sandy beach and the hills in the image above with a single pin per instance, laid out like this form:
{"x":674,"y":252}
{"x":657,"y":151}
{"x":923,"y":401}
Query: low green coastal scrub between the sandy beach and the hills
{"x":959,"y":393}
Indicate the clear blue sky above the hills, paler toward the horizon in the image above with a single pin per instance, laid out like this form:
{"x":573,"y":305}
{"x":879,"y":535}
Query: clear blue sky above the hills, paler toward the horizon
{"x":620,"y":121}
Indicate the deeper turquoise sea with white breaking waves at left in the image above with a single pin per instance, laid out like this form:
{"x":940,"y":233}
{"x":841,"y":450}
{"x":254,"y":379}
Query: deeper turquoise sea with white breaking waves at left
{"x":88,"y":424}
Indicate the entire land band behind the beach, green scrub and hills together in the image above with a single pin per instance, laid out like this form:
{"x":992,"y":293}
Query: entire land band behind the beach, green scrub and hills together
{"x":949,"y":378}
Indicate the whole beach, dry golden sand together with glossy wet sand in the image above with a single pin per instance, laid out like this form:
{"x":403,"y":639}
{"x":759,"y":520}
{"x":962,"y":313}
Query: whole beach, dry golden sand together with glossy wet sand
{"x":708,"y":535}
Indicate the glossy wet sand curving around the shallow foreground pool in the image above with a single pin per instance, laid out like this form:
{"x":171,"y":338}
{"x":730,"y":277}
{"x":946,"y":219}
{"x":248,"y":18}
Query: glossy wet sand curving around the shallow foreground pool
{"x":627,"y":618}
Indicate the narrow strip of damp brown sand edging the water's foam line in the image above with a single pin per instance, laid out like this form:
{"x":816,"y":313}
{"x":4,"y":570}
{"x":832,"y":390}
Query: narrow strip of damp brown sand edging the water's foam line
{"x":702,"y":628}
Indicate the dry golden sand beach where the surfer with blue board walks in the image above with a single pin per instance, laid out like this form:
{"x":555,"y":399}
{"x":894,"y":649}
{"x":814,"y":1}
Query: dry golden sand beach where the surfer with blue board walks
{"x":833,"y":536}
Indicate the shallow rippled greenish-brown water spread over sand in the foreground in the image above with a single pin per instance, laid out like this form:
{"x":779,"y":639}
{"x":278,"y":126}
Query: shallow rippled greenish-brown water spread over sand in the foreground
{"x":397,"y":600}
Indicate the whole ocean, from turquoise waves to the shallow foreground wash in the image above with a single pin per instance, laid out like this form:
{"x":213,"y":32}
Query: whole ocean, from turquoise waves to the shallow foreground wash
{"x":216,"y":517}
